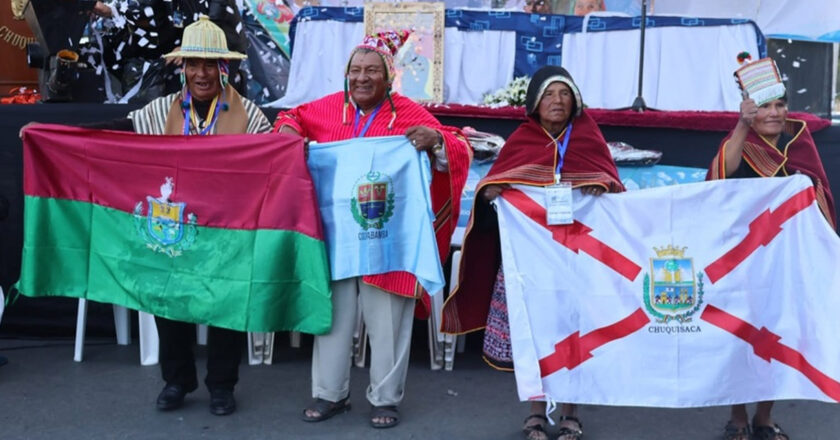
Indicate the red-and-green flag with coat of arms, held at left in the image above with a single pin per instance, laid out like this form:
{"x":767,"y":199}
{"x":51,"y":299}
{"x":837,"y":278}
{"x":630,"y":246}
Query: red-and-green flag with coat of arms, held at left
{"x":219,"y":230}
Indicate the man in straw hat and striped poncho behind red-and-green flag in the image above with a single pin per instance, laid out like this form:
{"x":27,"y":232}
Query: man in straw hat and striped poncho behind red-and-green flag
{"x":206,"y":105}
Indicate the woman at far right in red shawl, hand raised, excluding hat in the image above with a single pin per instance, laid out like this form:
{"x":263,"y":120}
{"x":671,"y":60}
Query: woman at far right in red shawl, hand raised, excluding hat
{"x":766,"y":143}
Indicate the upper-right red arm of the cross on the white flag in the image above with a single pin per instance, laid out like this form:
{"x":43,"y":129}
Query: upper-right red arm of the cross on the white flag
{"x":763,"y":230}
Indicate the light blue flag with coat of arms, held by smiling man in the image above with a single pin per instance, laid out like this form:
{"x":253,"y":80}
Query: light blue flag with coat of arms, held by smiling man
{"x":374,"y":198}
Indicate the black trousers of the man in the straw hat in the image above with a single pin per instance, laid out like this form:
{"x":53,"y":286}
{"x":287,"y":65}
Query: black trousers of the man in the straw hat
{"x":177,"y":359}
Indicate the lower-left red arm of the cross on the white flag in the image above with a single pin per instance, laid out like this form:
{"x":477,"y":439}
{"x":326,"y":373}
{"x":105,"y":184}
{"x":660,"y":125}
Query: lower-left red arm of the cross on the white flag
{"x":576,"y":349}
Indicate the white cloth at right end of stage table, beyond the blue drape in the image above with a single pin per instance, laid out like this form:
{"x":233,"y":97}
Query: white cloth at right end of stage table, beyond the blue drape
{"x":686,"y":68}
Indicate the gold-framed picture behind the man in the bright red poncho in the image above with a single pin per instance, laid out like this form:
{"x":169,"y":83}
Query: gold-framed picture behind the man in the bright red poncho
{"x":419,"y":62}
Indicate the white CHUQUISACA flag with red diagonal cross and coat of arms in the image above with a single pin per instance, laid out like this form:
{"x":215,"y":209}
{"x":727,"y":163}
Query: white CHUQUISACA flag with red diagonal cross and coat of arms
{"x":702,"y":294}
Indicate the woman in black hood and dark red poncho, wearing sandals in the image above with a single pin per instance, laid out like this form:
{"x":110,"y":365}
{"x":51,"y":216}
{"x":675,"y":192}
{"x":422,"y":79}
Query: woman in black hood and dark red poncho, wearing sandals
{"x":530,"y":156}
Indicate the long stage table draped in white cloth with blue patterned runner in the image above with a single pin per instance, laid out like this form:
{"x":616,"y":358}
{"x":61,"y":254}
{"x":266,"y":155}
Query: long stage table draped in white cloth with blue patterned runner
{"x":688,"y":61}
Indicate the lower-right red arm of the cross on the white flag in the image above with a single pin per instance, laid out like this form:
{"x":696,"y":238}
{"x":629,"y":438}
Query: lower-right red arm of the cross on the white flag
{"x":766,"y":346}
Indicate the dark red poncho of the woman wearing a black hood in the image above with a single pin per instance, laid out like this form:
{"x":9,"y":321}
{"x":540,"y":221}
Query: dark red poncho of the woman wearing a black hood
{"x":528,"y":157}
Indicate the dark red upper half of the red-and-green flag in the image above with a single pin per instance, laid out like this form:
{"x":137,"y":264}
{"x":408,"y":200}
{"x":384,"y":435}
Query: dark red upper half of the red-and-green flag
{"x":228,"y":181}
